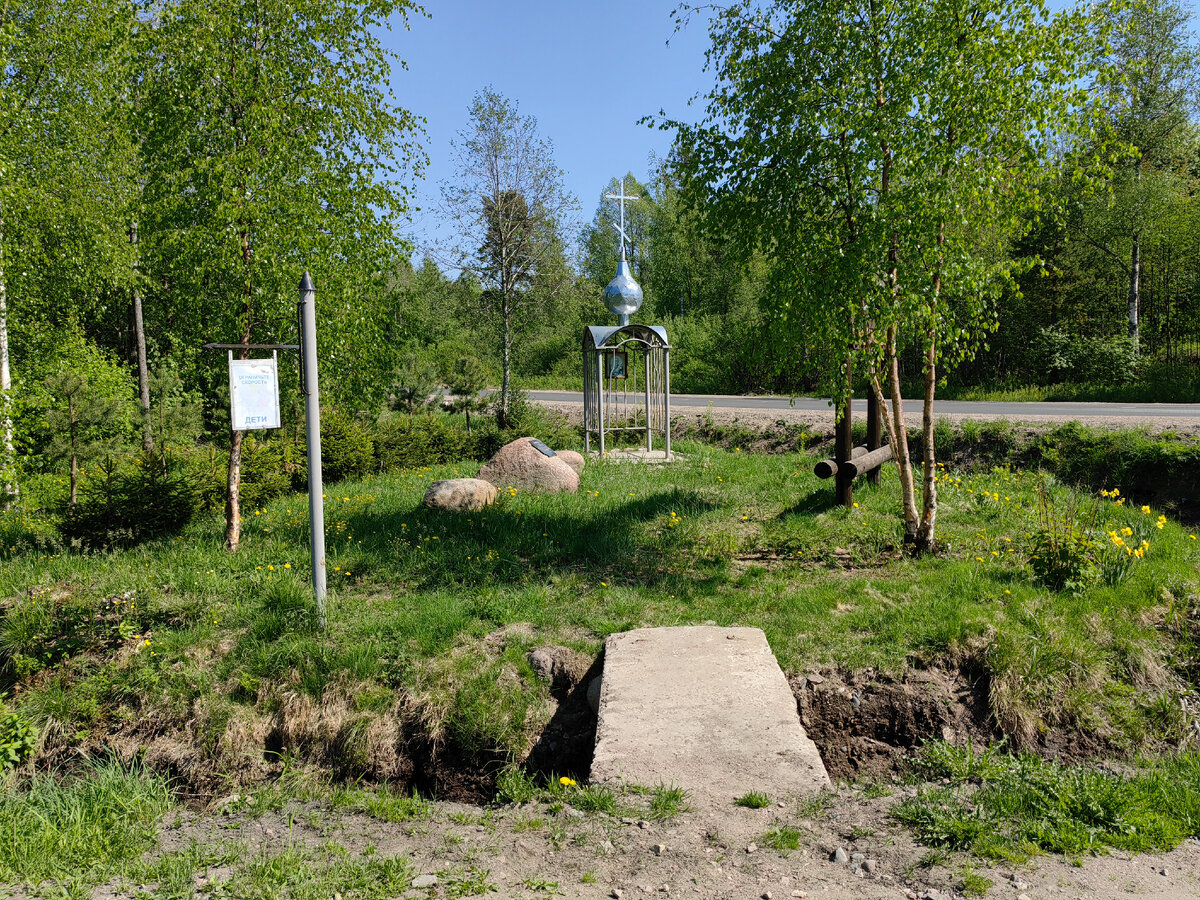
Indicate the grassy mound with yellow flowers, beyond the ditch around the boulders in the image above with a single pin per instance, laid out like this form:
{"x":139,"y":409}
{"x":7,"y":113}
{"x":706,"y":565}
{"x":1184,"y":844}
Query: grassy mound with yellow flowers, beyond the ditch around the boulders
{"x":1095,"y":641}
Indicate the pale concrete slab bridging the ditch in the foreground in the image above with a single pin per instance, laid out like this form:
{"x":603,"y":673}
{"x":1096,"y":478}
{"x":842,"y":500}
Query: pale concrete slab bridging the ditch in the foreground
{"x":705,"y":709}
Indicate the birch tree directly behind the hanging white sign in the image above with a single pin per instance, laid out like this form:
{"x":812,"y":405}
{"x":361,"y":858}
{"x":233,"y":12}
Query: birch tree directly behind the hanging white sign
{"x":272,"y":147}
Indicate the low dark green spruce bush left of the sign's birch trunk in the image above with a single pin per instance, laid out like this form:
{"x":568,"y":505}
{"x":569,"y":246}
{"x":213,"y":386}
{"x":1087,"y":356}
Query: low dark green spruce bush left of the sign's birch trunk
{"x":121,"y":505}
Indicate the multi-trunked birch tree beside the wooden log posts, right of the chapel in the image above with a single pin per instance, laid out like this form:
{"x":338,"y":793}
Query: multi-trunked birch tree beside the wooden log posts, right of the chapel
{"x":885,"y":154}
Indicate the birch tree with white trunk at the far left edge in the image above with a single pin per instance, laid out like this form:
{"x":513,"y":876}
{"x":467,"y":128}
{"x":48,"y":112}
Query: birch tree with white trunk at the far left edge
{"x":64,"y":154}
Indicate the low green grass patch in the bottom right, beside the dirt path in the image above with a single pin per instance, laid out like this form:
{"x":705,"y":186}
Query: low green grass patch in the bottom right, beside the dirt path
{"x":1027,"y":806}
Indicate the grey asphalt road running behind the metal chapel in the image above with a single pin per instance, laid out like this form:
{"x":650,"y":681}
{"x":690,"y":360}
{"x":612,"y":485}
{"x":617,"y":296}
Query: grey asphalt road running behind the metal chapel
{"x":991,"y":409}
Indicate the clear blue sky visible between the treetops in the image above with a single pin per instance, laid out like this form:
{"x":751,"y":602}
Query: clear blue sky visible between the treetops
{"x":589,"y":71}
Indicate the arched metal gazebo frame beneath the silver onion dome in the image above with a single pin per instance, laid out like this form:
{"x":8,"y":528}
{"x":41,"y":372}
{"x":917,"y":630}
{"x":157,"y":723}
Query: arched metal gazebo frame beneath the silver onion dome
{"x":617,"y":359}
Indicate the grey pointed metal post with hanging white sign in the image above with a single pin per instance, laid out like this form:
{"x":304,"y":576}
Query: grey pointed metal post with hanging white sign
{"x":255,"y":404}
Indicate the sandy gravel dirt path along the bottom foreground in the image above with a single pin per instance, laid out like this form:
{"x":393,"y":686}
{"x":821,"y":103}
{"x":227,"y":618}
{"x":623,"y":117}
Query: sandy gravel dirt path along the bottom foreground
{"x":531,"y":850}
